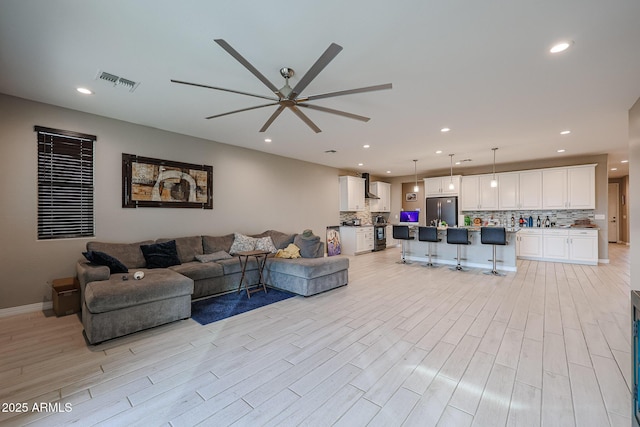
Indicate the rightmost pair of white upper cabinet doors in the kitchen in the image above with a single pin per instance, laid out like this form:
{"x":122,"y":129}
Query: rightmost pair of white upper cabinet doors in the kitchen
{"x":569,"y":188}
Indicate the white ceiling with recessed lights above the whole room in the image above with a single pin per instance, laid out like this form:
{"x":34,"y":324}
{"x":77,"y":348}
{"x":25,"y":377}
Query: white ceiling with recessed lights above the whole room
{"x":482,"y":68}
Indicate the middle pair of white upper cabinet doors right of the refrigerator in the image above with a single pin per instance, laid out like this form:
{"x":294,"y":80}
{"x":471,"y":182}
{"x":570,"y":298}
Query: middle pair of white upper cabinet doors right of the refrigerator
{"x":520,"y":190}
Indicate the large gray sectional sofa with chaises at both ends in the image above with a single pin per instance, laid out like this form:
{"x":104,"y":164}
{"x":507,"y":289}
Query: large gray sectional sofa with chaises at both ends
{"x":116,"y":304}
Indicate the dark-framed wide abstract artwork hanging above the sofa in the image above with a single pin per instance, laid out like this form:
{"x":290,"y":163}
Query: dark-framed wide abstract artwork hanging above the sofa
{"x":156,"y":183}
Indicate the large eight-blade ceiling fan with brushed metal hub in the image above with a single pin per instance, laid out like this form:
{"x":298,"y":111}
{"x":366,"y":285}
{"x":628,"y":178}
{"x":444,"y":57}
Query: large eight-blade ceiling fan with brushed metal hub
{"x":288,"y":97}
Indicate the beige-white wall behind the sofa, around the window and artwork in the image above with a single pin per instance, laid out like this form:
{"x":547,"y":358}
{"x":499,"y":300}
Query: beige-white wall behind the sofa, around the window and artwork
{"x":252,"y":191}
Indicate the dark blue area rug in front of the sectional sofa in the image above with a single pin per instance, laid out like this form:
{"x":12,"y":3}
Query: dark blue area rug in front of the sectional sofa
{"x":212,"y":309}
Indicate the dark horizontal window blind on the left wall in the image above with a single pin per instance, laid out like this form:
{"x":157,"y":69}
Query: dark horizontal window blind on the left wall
{"x":65,"y":184}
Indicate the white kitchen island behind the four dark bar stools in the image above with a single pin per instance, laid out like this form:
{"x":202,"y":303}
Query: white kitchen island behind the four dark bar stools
{"x":474,"y":255}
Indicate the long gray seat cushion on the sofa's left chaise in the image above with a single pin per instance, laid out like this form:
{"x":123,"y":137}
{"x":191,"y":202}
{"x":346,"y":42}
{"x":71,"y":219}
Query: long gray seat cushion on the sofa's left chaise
{"x":115,"y":293}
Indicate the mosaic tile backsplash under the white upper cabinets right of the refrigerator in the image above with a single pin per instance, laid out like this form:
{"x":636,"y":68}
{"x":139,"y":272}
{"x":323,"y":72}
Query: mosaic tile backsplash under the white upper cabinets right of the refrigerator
{"x":559,"y":217}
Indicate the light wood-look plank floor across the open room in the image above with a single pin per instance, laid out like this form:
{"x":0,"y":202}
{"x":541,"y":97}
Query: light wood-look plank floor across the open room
{"x":400,"y":345}
